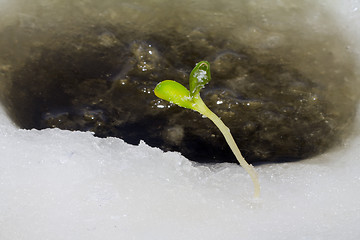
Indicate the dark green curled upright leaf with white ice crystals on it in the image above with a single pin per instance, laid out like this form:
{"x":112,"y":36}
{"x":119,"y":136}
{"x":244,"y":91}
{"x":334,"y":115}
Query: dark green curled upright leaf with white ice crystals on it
{"x":199,"y":76}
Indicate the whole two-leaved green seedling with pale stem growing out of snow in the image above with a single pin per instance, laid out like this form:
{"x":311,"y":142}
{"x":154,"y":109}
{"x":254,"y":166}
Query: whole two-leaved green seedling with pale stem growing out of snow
{"x":176,"y":93}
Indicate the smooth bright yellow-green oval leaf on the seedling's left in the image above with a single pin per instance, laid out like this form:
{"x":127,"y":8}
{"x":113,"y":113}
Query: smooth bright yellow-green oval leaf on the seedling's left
{"x":174,"y":92}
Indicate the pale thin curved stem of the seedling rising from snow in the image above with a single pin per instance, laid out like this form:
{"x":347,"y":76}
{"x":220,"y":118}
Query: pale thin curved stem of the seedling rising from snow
{"x":203,"y":109}
